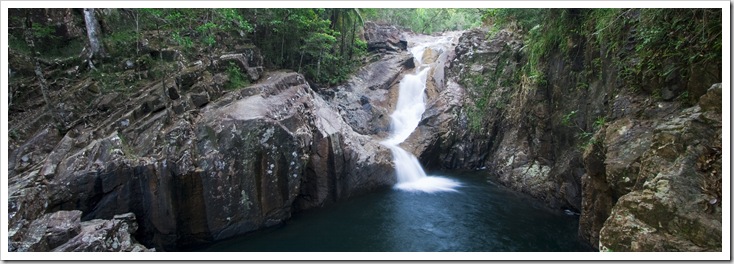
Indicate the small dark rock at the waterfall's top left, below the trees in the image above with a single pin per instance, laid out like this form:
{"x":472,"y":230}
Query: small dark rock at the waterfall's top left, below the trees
{"x":383,"y":37}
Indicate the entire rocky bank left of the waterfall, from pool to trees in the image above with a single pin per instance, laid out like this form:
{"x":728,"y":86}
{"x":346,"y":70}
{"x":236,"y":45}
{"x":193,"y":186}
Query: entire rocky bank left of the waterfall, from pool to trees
{"x":184,"y":161}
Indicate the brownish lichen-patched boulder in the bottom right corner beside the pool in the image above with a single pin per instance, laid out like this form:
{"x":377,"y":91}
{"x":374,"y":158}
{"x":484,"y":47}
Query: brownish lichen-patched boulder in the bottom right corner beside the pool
{"x":670,"y":208}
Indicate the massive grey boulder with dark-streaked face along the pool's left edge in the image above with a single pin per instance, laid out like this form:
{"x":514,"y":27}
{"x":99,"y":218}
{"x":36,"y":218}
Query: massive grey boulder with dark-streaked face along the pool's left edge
{"x":243,"y":161}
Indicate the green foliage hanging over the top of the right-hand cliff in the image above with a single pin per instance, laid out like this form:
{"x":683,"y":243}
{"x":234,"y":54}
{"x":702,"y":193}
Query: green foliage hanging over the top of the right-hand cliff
{"x":651,"y":48}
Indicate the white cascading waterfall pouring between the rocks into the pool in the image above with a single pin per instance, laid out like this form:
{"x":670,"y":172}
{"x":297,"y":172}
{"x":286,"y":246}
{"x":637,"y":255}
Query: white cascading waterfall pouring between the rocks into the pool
{"x":405,"y":119}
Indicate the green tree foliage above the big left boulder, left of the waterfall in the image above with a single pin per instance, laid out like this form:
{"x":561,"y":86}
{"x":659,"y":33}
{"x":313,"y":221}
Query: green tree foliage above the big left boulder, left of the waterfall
{"x":322,"y":44}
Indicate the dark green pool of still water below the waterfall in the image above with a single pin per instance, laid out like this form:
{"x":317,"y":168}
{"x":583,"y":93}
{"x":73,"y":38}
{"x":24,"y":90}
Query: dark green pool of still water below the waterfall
{"x":481,"y":216}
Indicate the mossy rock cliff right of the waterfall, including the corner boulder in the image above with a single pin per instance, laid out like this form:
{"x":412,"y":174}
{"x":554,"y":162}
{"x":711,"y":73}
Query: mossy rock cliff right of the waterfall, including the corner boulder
{"x":643,"y":172}
